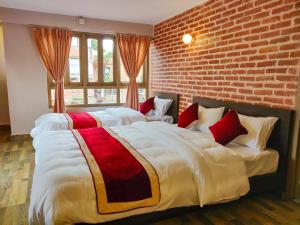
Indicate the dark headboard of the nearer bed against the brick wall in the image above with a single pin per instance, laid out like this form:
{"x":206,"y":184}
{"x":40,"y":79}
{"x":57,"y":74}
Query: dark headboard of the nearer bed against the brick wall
{"x":280,"y":137}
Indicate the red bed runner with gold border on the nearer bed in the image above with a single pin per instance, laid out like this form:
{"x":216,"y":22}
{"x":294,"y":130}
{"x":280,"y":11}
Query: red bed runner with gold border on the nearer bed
{"x":123,"y":179}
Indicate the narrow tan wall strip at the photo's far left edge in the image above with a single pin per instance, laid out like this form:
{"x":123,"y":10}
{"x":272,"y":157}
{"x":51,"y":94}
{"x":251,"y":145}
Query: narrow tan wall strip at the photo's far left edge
{"x":4,"y":113}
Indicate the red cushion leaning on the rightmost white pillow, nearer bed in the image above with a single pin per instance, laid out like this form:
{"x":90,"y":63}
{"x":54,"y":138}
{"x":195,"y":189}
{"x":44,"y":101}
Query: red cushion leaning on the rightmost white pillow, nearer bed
{"x":228,"y":128}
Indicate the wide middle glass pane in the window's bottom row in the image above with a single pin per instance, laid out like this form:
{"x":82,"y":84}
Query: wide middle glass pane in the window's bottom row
{"x":102,"y":96}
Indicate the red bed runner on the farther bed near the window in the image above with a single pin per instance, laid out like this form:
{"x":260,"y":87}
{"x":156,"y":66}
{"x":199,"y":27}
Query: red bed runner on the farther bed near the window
{"x":81,"y":120}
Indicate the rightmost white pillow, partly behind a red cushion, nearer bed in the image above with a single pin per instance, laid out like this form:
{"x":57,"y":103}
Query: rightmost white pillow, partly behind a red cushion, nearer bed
{"x":259,"y":131}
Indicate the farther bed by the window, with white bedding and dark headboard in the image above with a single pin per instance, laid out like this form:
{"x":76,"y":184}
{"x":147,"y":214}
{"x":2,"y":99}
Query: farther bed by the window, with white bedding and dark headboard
{"x":108,"y":117}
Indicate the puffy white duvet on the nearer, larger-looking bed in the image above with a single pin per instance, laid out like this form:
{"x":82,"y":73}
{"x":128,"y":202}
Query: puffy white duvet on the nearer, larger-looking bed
{"x":192,"y":170}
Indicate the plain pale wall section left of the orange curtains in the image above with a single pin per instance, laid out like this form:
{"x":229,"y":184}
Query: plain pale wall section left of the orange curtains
{"x":26,"y":79}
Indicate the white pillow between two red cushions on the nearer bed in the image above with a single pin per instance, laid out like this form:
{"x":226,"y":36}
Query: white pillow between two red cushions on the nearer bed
{"x":208,"y":117}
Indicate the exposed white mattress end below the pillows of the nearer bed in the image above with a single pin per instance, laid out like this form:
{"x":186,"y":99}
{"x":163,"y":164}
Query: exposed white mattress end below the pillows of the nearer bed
{"x":257,"y":162}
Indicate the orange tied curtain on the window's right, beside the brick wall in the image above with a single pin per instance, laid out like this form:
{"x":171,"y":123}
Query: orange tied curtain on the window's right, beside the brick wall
{"x":133,"y":50}
